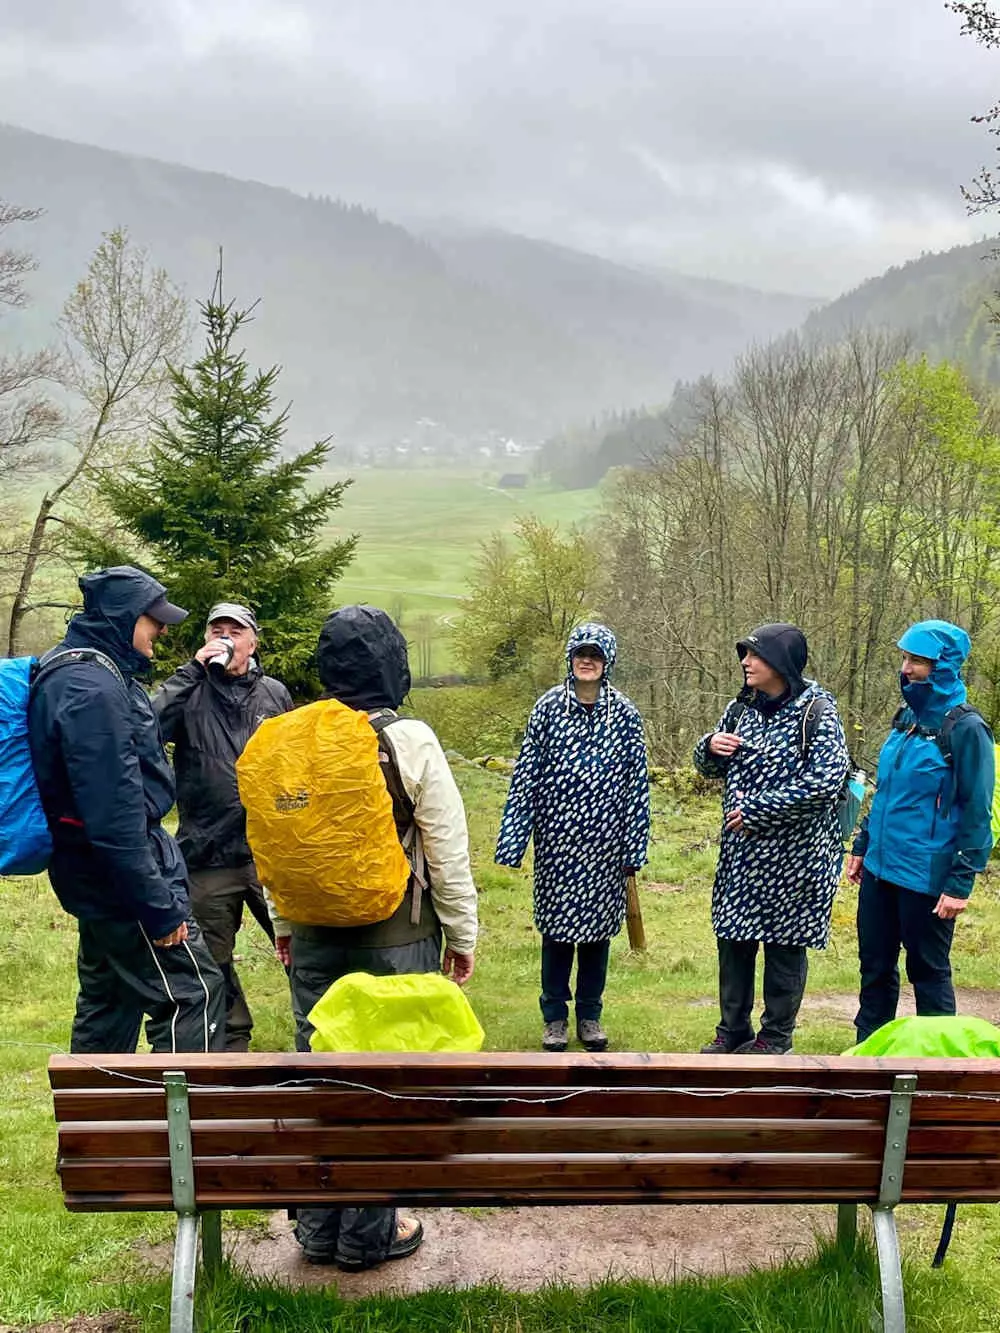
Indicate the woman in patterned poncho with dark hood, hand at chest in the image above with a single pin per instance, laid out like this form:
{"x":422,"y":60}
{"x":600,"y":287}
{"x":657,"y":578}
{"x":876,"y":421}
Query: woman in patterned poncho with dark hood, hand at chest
{"x":781,"y":854}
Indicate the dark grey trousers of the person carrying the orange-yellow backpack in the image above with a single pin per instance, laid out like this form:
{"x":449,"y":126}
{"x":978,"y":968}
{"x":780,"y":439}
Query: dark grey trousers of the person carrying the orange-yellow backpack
{"x":362,"y":1235}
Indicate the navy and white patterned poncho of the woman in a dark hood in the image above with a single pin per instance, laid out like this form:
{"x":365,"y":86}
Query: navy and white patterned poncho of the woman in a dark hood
{"x":777,"y":882}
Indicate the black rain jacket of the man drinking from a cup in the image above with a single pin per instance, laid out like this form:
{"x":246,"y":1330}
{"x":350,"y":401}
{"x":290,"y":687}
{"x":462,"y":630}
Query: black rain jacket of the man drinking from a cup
{"x":210,"y":718}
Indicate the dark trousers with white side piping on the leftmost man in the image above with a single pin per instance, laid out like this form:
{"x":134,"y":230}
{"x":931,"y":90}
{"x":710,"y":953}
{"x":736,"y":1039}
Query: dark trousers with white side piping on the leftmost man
{"x":123,"y":975}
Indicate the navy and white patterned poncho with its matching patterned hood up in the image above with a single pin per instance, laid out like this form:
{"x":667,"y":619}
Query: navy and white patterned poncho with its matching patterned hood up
{"x":582,"y":788}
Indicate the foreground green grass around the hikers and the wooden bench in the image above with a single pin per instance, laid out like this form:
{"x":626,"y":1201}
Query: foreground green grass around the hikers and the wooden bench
{"x":54,"y":1264}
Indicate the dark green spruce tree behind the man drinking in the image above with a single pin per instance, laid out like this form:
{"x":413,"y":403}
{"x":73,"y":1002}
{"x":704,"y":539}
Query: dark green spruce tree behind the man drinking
{"x":218,"y":514}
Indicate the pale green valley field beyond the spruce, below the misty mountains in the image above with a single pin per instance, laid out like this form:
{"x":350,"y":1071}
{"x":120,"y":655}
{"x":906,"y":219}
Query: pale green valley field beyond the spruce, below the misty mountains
{"x":419,"y":537}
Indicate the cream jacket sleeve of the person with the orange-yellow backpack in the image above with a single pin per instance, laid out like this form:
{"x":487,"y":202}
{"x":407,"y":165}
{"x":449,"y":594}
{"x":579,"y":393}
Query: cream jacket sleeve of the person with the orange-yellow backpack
{"x":441,"y":816}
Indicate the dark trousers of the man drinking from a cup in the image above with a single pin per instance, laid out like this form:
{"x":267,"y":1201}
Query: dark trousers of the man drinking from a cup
{"x":218,"y":898}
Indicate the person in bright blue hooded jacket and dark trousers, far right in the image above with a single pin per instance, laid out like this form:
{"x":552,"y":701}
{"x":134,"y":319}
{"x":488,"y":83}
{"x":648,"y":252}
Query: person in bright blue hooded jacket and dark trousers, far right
{"x":927,"y":835}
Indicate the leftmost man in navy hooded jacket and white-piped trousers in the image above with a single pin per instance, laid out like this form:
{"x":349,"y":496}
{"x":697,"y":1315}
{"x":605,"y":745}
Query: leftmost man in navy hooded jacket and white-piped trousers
{"x":106,"y":786}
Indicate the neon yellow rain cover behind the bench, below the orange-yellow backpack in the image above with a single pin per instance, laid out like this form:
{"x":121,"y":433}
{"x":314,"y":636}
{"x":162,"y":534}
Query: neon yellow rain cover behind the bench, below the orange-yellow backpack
{"x":415,"y":1012}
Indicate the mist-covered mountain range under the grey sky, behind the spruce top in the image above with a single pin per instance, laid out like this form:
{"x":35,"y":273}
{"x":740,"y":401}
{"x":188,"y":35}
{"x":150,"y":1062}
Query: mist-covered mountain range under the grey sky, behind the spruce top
{"x":385,"y":335}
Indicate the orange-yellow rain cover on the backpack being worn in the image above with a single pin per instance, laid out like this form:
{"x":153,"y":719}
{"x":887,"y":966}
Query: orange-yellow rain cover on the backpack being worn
{"x":319,"y":818}
